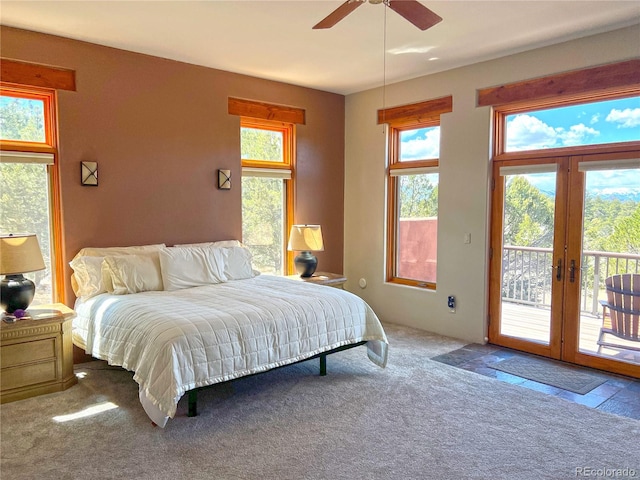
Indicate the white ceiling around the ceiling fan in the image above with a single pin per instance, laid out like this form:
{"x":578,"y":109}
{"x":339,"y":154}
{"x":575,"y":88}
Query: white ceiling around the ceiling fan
{"x":274,"y":40}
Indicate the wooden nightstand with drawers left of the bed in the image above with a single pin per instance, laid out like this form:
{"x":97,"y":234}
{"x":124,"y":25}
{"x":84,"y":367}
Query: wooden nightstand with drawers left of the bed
{"x":36,"y":353}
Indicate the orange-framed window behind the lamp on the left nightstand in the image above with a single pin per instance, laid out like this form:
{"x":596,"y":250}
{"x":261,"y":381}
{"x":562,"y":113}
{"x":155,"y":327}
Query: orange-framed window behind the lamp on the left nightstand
{"x":28,"y":178}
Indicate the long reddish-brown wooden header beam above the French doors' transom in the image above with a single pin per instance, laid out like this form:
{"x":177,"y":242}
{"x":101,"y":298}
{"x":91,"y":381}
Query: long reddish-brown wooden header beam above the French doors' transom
{"x":614,"y":77}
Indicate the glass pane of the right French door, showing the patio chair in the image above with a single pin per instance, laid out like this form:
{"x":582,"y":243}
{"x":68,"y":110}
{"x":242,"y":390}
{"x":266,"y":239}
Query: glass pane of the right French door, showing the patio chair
{"x":610,"y":247}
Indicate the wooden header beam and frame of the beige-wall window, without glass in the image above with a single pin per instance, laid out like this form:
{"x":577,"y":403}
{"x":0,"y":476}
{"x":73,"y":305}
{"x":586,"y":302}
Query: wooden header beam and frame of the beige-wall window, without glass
{"x":407,"y":117}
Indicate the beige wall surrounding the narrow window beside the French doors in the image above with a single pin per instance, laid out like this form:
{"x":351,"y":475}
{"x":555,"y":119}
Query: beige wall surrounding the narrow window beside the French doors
{"x":464,"y":180}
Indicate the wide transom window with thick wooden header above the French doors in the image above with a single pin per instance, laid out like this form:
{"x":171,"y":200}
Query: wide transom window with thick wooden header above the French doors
{"x":588,"y":111}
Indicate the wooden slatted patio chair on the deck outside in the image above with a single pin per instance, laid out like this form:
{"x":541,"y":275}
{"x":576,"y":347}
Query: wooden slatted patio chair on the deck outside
{"x":623,"y":303}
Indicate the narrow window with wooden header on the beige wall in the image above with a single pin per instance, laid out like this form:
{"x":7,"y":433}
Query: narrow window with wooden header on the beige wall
{"x":412,"y":190}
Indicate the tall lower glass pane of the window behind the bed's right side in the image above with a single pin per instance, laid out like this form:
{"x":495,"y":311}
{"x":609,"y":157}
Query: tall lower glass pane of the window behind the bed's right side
{"x":263,"y":222}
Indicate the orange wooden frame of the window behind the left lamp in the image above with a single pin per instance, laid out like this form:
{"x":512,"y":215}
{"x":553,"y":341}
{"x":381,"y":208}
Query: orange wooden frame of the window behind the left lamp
{"x":51,"y":146}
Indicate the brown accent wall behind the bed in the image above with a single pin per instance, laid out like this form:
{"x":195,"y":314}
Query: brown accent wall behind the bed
{"x":159,"y":130}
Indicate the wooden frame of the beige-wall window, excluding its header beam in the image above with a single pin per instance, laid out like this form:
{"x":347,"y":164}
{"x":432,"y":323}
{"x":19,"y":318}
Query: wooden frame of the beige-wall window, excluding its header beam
{"x":395,"y":165}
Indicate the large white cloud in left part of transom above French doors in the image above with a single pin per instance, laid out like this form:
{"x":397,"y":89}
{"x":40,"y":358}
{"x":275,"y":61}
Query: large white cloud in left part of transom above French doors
{"x":526,"y":132}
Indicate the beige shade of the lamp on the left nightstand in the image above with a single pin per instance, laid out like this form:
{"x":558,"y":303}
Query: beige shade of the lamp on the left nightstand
{"x":20,"y":253}
